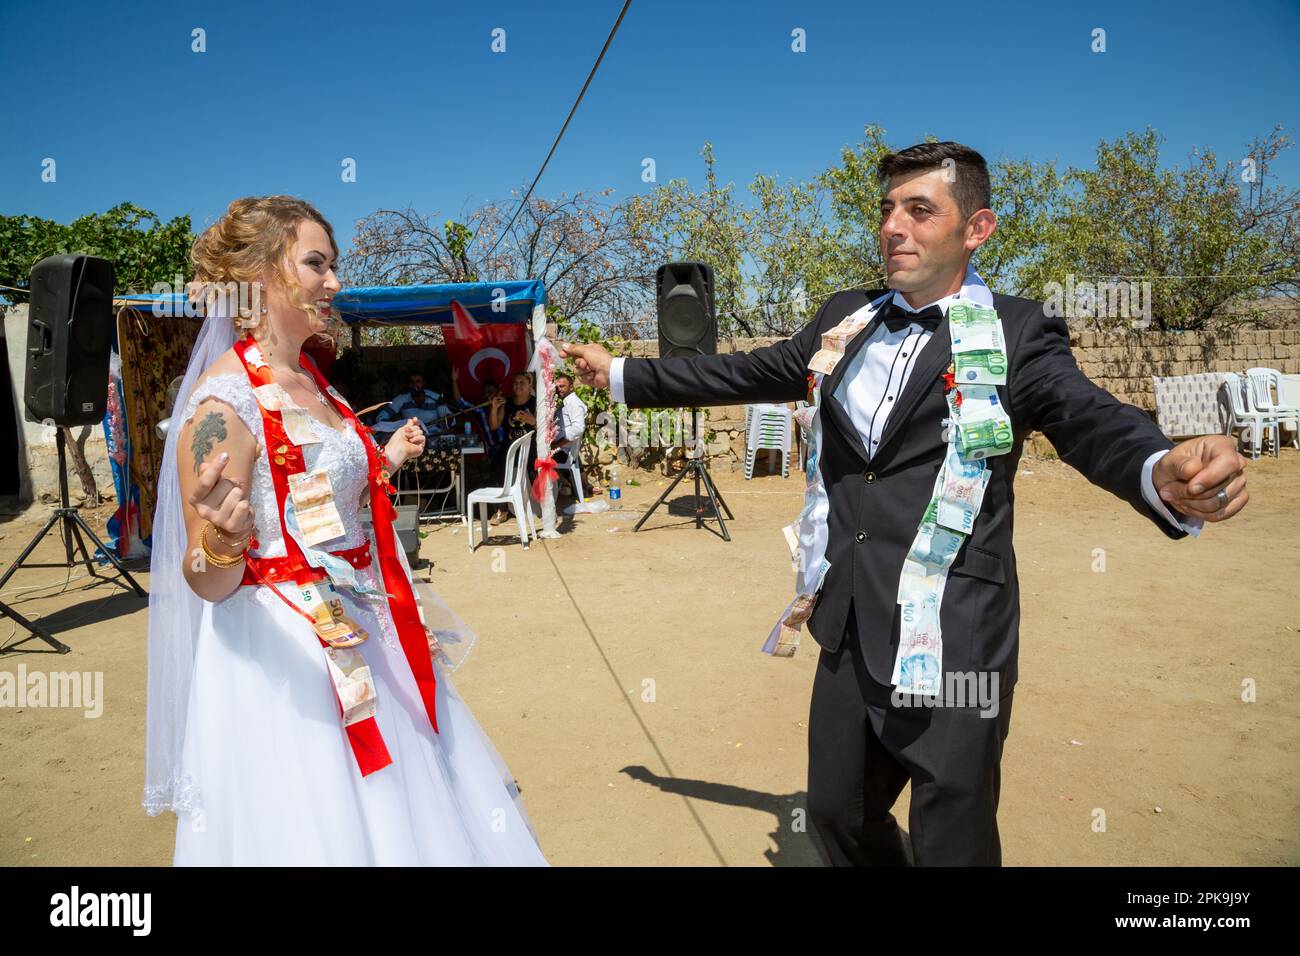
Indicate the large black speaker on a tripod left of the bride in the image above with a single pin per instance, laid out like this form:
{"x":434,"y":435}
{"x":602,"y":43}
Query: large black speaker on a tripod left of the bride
{"x":70,"y":335}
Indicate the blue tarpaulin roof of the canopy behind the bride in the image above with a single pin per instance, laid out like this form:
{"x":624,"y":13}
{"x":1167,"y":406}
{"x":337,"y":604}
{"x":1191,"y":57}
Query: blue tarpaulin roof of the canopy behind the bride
{"x":404,"y":305}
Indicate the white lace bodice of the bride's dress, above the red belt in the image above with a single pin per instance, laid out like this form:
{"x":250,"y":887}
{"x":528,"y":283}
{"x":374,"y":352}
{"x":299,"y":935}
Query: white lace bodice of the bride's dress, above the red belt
{"x":341,"y":453}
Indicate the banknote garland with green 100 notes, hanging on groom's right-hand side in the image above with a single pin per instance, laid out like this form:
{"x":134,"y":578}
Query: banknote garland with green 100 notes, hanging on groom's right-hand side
{"x":978,"y":429}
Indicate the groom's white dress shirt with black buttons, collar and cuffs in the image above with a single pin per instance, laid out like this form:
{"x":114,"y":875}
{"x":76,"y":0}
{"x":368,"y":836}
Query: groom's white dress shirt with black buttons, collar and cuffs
{"x":879,"y":373}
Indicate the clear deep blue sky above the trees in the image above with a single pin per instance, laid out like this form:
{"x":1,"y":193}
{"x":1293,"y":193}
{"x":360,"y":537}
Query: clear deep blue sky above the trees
{"x":436,"y":120}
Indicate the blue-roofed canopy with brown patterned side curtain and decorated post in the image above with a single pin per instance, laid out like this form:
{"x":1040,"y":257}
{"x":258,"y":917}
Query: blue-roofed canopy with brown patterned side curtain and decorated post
{"x":157,"y":334}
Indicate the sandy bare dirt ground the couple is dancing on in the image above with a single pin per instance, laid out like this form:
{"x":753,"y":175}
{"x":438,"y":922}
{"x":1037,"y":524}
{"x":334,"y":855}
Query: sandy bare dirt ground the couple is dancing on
{"x":619,"y":677}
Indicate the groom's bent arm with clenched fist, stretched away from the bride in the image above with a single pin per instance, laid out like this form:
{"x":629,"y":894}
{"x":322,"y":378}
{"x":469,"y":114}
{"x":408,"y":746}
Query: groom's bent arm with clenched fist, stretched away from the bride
{"x":1116,"y":445}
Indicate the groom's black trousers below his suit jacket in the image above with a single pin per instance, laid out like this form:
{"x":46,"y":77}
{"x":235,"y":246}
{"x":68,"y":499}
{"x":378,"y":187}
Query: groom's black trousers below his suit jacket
{"x":863,"y":750}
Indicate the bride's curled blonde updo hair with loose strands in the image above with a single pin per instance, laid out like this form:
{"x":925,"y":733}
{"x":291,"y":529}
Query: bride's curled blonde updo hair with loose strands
{"x":254,"y":237}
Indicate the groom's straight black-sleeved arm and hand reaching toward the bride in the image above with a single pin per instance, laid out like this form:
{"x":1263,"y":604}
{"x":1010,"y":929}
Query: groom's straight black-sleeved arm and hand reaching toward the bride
{"x":772,"y":374}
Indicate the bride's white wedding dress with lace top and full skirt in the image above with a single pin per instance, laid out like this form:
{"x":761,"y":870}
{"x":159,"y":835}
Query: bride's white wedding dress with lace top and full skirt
{"x":279,"y":782}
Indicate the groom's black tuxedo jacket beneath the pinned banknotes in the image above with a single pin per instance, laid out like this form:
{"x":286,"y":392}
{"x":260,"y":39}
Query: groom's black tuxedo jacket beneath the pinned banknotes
{"x":877,"y":501}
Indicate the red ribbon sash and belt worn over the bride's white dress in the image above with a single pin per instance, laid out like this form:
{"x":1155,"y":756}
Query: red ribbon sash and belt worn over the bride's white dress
{"x":285,"y":460}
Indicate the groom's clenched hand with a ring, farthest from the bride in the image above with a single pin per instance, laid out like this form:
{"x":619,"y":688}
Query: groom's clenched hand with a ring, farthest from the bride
{"x":1203,"y":478}
